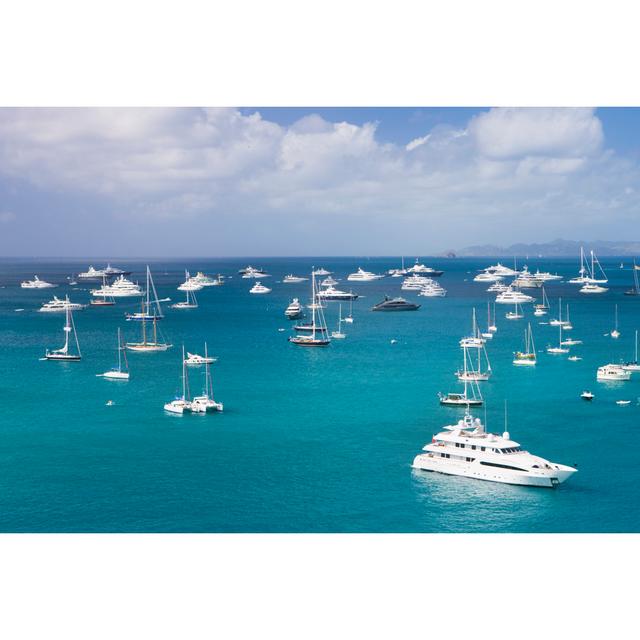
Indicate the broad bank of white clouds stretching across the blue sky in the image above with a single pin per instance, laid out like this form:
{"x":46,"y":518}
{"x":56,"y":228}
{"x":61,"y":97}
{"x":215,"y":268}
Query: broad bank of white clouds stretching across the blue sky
{"x":527,"y":164}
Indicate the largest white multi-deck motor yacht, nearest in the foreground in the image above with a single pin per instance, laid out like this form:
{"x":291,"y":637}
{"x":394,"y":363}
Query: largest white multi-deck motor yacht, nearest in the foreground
{"x":466,"y":449}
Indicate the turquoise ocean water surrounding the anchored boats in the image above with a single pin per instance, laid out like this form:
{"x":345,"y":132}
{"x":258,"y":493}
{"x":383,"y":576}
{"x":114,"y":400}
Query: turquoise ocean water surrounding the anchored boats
{"x":311,"y":440}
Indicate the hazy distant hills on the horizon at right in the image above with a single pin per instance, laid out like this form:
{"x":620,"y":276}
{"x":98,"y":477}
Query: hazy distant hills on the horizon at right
{"x":556,"y":248}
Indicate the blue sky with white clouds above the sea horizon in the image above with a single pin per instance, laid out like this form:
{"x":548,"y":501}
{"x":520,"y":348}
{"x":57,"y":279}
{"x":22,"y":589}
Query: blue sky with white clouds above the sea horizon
{"x":255,"y":181}
